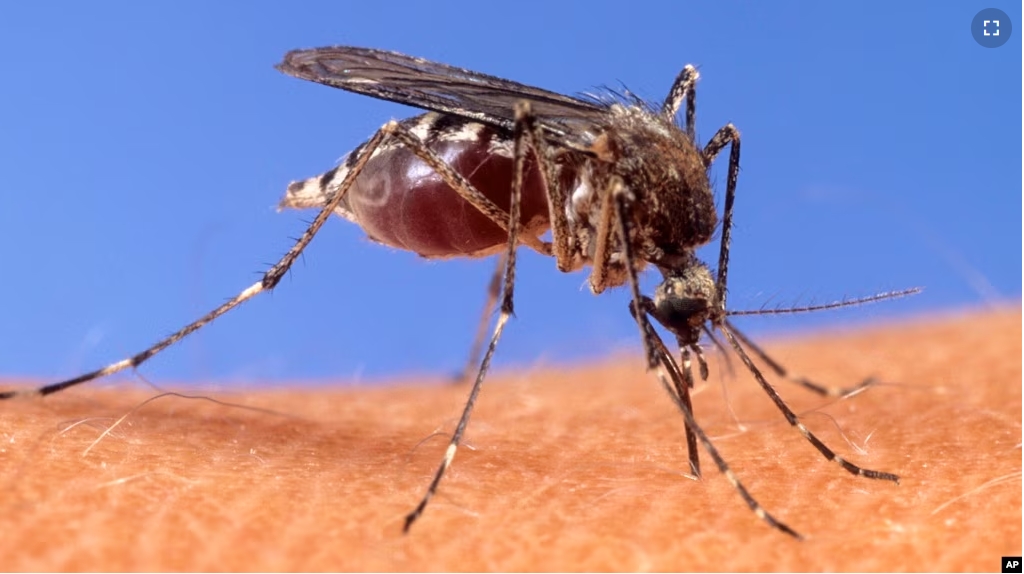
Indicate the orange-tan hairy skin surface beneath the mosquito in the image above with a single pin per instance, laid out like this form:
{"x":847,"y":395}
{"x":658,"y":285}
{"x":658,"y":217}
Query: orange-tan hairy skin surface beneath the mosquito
{"x":579,"y":469}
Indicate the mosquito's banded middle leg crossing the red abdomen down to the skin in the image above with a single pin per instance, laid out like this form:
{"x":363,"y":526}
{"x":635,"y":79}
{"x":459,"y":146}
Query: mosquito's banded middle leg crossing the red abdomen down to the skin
{"x":524,"y":124}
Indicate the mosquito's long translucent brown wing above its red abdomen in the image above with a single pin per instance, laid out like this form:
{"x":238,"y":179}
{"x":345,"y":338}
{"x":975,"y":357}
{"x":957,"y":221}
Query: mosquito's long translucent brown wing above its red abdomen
{"x":444,"y":89}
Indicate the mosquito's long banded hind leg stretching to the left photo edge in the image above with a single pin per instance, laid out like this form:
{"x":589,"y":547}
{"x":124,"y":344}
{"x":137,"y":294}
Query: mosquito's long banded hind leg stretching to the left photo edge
{"x":270,"y":281}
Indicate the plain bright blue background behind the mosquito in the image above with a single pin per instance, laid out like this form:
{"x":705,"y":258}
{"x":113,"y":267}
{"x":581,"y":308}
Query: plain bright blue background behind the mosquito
{"x":144,"y":148}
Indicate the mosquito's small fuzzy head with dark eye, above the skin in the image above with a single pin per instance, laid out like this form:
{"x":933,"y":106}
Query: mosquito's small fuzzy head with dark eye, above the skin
{"x":687,"y":300}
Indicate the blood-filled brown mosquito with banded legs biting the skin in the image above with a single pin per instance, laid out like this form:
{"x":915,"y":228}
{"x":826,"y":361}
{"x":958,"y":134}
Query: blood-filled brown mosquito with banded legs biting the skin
{"x":495,"y":165}
